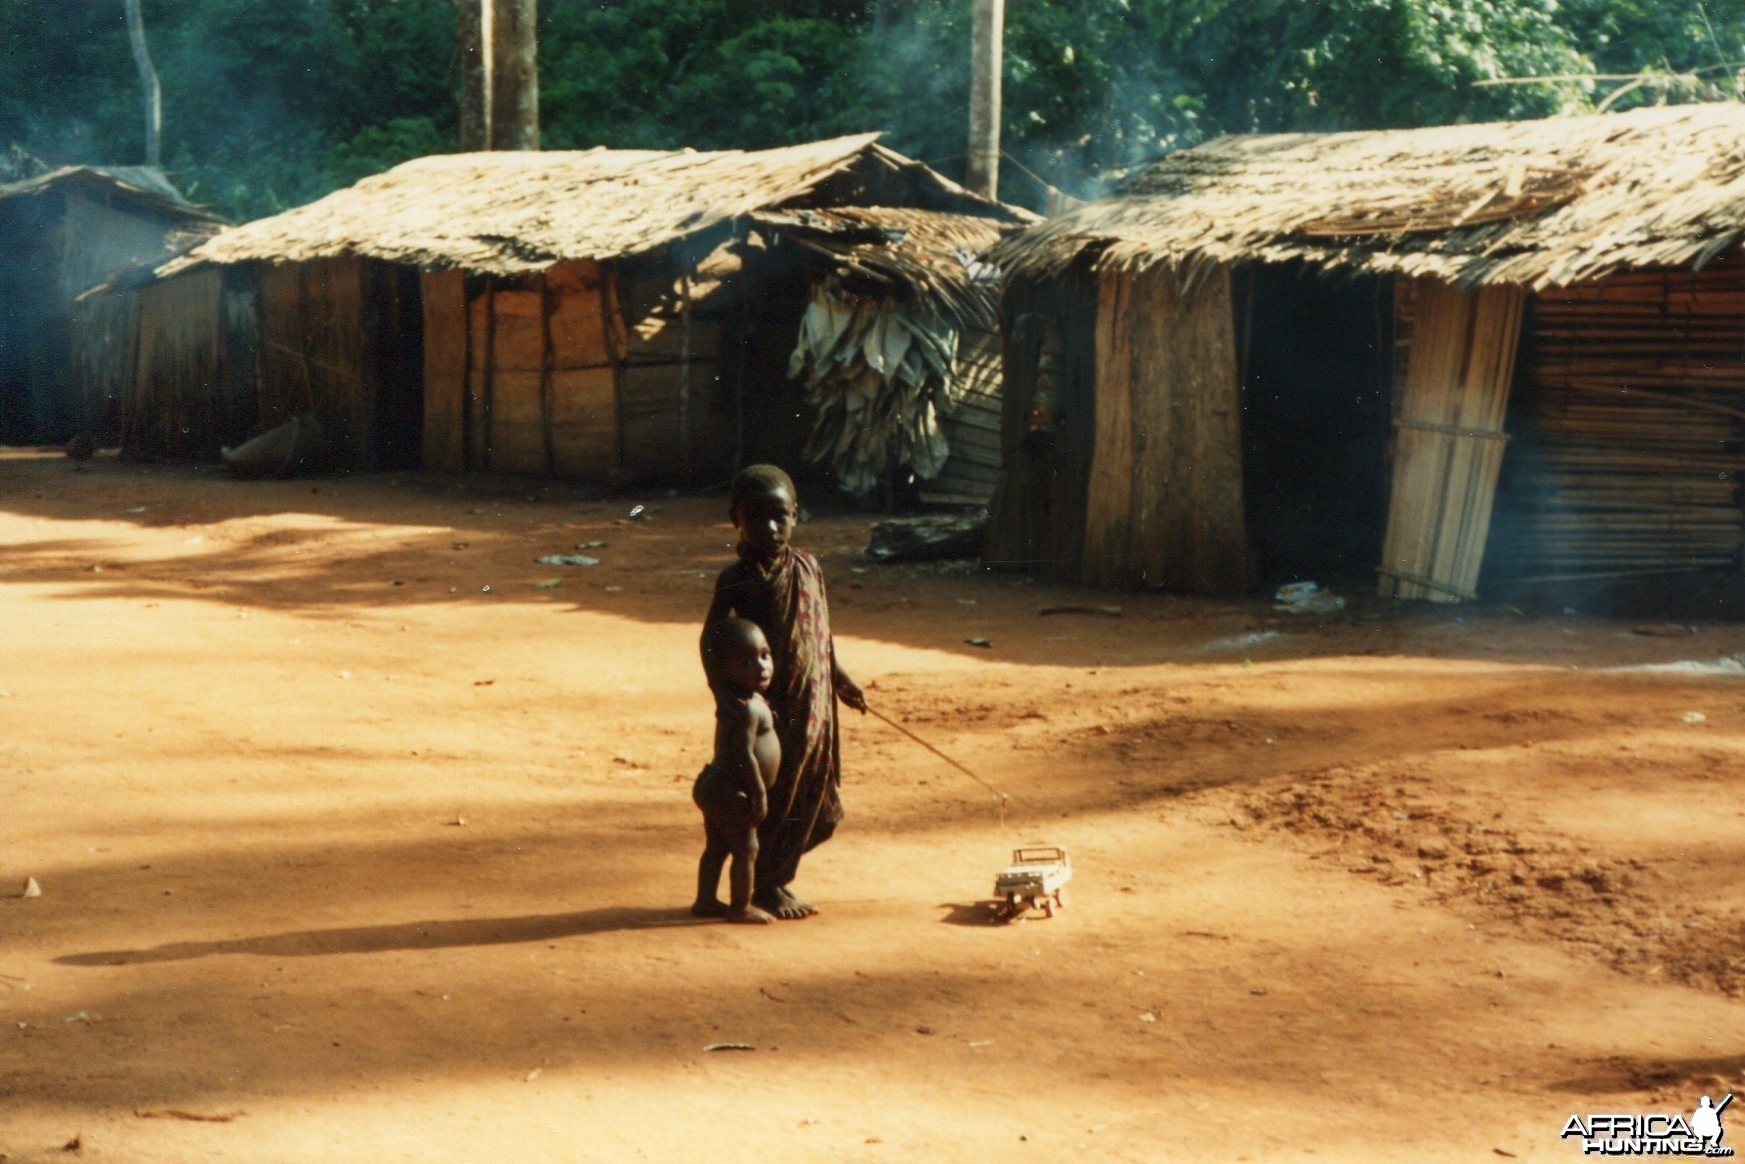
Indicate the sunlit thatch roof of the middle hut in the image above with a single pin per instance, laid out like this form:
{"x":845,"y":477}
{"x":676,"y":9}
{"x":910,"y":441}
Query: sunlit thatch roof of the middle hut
{"x":524,"y":212}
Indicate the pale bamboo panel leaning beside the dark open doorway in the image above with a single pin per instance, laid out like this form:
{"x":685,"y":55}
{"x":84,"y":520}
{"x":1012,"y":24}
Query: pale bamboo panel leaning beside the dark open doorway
{"x":1449,"y":441}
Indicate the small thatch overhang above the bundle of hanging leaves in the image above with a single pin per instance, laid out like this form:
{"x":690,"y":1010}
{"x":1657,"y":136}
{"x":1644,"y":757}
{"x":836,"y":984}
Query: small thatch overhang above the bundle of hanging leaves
{"x":929,"y":256}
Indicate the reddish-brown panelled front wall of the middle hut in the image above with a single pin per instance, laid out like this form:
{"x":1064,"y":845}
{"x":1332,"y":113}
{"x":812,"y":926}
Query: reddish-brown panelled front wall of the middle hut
{"x":547,"y":376}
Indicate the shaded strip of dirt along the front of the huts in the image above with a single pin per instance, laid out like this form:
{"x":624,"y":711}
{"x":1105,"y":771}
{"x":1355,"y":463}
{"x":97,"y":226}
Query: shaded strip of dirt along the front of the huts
{"x":369,"y":545}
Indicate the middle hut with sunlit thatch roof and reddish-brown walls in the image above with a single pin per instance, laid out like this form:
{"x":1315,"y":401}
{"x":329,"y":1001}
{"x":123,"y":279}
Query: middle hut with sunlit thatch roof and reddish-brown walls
{"x":603,"y":315}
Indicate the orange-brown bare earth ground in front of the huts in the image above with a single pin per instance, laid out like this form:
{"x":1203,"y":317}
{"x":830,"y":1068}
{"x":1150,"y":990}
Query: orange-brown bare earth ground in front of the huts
{"x":346,"y":858}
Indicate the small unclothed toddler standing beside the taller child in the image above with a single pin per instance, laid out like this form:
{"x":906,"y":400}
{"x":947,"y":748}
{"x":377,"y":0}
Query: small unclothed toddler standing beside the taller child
{"x":734,"y":790}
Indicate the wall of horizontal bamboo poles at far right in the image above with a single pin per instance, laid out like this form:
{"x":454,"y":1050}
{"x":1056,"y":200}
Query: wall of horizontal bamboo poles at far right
{"x":1632,"y":425}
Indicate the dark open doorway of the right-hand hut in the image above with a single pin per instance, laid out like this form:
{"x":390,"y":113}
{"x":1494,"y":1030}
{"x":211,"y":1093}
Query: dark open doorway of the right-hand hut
{"x":1317,"y":395}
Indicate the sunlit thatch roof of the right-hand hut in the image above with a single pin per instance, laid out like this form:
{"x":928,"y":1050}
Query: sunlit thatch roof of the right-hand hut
{"x":1536,"y":203}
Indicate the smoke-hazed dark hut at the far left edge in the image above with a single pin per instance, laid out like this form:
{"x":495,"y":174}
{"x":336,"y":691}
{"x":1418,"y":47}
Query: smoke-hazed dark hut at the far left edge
{"x":65,"y":229}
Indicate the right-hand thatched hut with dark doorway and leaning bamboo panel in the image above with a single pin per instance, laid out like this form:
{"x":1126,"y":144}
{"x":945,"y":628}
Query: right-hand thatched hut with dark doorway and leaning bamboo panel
{"x":1591,"y":264}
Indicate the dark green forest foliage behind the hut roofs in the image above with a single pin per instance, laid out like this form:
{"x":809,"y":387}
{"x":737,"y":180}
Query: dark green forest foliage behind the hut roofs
{"x":270,"y":104}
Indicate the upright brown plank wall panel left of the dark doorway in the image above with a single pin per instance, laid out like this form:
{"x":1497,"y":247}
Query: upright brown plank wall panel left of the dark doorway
{"x":1165,"y":490}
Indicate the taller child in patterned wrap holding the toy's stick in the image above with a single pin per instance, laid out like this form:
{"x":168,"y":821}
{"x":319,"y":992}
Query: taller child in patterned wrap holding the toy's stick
{"x":781,"y":591}
